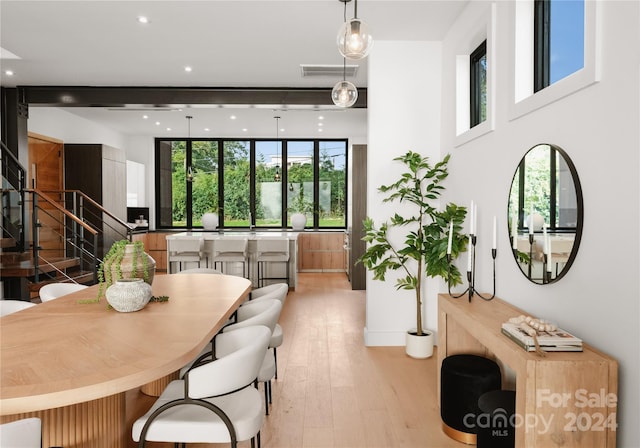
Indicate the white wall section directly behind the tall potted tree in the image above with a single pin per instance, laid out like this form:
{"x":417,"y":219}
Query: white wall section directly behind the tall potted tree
{"x":404,"y":114}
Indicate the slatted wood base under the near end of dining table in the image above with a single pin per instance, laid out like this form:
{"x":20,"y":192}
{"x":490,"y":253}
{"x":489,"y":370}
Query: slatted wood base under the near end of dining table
{"x":91,"y":424}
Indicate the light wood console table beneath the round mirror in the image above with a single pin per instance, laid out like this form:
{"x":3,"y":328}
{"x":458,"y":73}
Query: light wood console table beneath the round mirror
{"x":565,"y":399}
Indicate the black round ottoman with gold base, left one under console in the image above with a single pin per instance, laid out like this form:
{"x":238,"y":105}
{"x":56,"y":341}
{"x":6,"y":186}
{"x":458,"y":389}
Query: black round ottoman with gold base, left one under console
{"x":463,"y":379}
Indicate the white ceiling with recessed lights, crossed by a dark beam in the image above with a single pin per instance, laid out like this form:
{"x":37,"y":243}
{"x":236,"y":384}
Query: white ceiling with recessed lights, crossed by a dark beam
{"x":239,"y":43}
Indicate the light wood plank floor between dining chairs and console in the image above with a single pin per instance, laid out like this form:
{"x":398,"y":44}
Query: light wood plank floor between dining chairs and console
{"x":331,"y":390}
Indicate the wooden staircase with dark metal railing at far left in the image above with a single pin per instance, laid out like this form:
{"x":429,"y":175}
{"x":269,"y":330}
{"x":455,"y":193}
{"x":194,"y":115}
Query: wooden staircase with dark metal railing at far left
{"x":52,"y":236}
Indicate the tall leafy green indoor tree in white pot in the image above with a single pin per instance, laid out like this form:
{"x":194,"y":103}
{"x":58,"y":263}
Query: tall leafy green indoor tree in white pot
{"x":423,"y":251}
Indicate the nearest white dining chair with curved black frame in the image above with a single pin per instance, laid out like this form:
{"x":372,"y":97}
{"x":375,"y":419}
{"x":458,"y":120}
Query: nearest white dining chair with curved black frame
{"x":214,"y":402}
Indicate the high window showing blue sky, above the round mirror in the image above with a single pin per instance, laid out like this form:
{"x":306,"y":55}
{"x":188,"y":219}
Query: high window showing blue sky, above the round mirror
{"x":558,"y":40}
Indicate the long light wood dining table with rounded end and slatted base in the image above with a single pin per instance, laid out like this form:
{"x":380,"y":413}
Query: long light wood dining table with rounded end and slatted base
{"x":70,"y":363}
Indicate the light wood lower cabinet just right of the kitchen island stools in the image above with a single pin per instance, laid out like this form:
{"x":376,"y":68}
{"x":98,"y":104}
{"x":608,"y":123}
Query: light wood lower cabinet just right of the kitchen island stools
{"x":321,"y":252}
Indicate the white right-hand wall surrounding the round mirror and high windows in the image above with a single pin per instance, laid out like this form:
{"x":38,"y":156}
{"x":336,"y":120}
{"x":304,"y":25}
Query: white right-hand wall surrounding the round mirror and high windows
{"x":598,"y":127}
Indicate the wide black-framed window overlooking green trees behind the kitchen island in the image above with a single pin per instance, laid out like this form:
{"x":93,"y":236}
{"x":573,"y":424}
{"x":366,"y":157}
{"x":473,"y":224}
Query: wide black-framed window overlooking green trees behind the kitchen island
{"x":251,"y":182}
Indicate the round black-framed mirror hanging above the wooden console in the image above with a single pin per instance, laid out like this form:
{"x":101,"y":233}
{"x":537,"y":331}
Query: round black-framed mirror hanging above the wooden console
{"x":545,"y":213}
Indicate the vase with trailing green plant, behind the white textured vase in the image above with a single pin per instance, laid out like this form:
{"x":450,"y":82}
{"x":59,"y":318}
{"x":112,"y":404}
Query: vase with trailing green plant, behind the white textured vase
{"x":125,"y":259}
